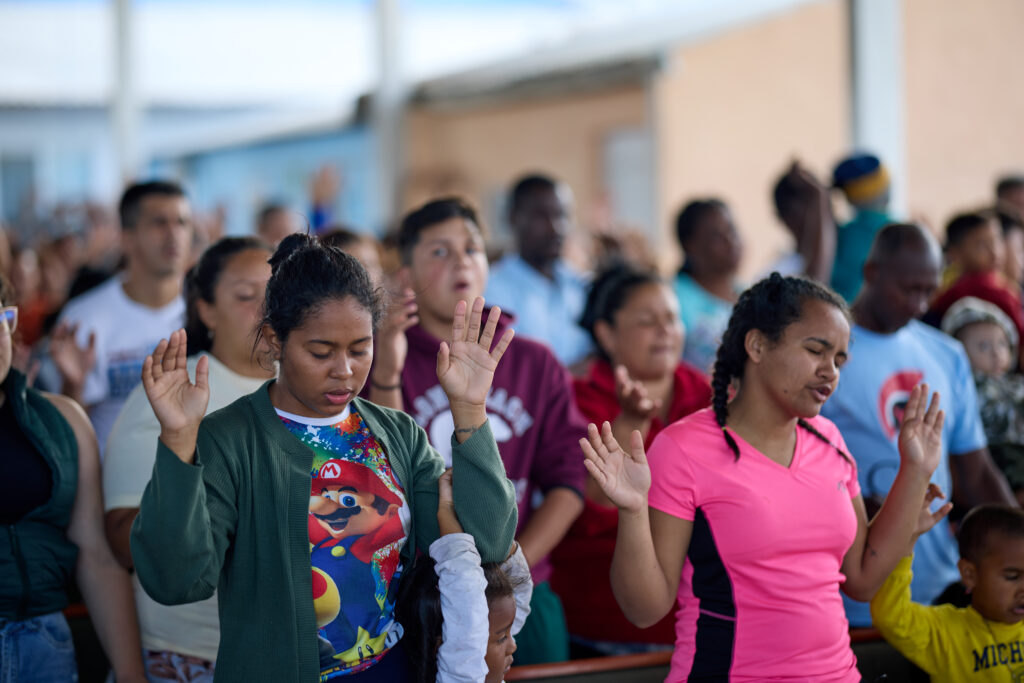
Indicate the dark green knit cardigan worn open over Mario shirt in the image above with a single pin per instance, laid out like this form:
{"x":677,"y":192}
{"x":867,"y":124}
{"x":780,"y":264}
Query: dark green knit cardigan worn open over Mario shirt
{"x":237,"y":522}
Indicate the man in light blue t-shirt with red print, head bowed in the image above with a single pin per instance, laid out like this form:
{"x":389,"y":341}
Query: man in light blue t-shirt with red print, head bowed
{"x":890,"y":354}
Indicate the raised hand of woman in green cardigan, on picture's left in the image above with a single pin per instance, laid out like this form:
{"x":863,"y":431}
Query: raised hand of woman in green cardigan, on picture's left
{"x":179,"y":405}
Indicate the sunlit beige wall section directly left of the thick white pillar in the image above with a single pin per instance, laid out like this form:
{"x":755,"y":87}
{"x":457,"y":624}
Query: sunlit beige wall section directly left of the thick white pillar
{"x":733,"y":112}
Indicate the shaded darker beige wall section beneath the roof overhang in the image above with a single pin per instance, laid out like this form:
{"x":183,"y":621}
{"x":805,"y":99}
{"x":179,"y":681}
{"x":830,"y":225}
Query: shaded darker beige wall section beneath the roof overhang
{"x":479,"y":151}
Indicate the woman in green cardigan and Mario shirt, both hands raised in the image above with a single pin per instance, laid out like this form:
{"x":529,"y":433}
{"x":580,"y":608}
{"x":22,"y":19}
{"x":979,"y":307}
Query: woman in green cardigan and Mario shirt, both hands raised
{"x":303,"y":504}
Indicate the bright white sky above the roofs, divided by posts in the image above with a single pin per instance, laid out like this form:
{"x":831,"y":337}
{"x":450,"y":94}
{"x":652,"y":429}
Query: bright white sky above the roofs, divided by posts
{"x":276,"y":54}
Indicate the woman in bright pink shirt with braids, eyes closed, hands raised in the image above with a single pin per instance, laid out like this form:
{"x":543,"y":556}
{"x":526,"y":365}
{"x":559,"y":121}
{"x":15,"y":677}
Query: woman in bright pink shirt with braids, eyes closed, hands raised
{"x":755,"y":517}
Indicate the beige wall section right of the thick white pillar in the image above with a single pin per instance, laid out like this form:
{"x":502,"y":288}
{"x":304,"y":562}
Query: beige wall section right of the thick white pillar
{"x":965,"y":102}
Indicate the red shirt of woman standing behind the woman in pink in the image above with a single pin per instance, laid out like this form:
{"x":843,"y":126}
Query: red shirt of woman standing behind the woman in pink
{"x":583,"y":561}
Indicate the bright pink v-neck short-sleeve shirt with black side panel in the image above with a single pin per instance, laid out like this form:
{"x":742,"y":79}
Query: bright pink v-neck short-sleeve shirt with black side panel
{"x":759,"y":595}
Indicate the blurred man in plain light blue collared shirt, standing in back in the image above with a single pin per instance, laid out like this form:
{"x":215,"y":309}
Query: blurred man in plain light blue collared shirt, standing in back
{"x":546,"y":295}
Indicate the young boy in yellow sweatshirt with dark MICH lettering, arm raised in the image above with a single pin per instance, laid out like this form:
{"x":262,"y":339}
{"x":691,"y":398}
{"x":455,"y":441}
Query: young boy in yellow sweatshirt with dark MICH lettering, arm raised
{"x":984,"y":643}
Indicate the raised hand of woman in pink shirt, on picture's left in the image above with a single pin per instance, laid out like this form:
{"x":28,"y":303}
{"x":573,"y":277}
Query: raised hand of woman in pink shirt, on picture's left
{"x":625,"y":479}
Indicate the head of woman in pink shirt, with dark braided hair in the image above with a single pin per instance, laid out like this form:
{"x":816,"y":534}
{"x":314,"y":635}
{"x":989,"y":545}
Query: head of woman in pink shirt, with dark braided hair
{"x":787,"y":339}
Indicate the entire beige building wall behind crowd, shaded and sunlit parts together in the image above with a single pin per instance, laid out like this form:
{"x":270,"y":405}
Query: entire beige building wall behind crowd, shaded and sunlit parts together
{"x":731,"y":112}
